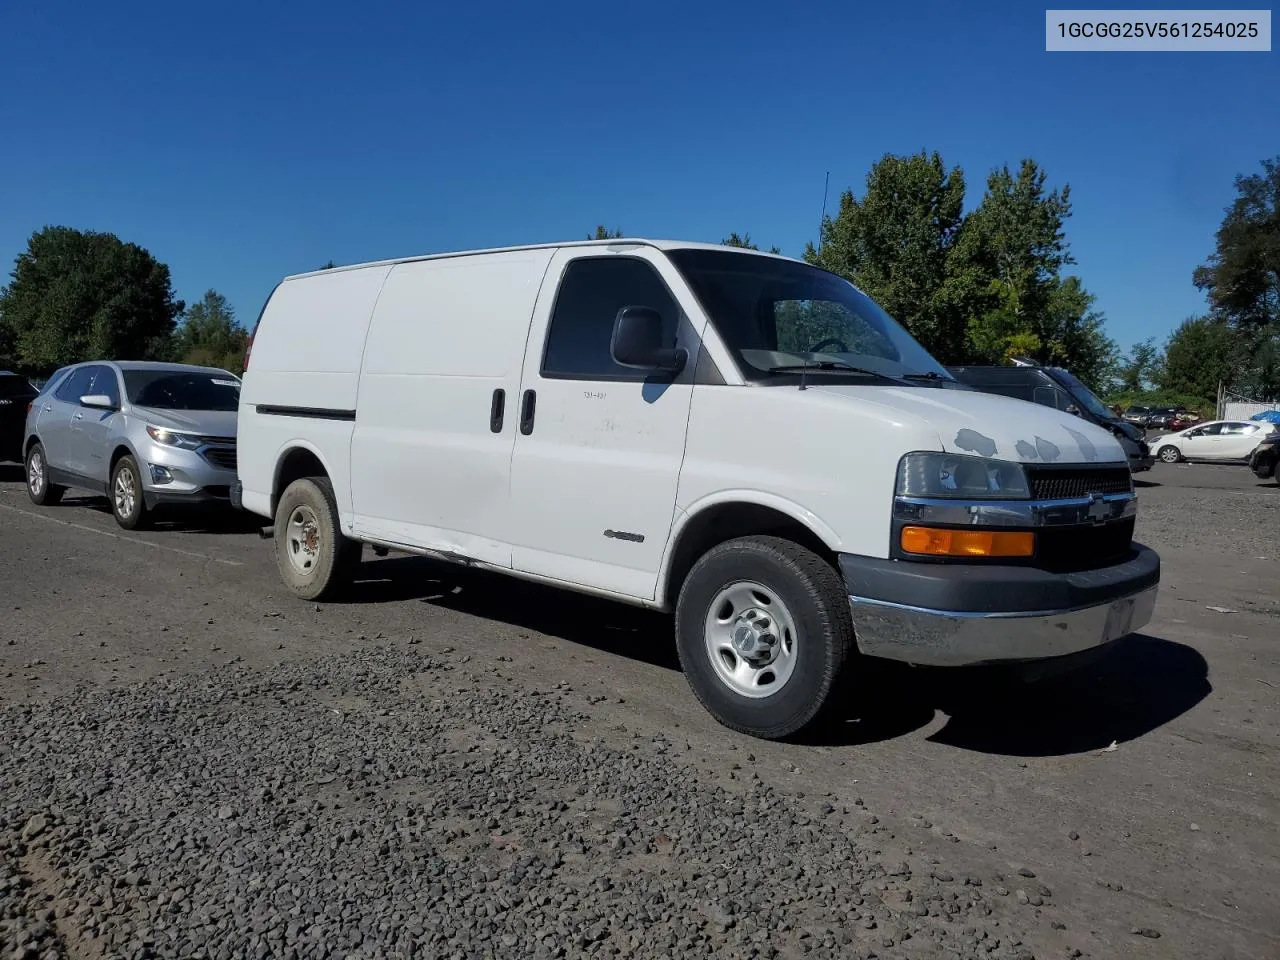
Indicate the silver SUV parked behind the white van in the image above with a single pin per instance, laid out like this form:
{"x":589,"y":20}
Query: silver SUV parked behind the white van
{"x":144,"y":435}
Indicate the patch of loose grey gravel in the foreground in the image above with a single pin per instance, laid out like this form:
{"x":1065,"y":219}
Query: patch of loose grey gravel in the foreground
{"x":395,"y":804}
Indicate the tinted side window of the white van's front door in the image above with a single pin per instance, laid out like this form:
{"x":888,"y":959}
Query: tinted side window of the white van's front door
{"x":591,"y":296}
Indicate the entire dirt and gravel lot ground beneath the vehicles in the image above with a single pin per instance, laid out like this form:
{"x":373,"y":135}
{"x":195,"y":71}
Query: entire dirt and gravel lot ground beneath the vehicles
{"x":193,"y":765}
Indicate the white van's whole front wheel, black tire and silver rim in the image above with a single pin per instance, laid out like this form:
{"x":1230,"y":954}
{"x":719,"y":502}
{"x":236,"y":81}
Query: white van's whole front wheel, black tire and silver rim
{"x":764,"y":634}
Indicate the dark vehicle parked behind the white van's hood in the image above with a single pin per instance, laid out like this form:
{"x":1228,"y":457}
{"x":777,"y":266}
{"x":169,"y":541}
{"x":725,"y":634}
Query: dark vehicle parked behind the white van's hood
{"x":1055,"y":387}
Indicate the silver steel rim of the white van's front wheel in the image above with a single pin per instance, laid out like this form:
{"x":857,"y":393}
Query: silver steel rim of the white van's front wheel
{"x":752,"y":639}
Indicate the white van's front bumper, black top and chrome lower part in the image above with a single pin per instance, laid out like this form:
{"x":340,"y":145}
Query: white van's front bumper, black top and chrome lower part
{"x":967,"y":615}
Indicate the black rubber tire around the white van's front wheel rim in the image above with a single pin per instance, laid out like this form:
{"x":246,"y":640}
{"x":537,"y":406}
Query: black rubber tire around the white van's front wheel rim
{"x":811,"y":591}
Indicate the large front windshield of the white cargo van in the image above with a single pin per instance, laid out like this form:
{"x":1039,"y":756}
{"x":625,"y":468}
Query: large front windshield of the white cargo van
{"x":780,"y":316}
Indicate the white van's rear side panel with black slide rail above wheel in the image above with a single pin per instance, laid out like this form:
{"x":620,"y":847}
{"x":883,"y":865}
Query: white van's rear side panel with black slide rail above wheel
{"x":303,"y":381}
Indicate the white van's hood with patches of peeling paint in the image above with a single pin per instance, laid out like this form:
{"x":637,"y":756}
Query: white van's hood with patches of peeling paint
{"x":990,"y":426}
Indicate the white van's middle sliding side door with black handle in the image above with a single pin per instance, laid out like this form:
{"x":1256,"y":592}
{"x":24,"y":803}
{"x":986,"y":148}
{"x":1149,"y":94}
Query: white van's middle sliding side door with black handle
{"x":431,"y":464}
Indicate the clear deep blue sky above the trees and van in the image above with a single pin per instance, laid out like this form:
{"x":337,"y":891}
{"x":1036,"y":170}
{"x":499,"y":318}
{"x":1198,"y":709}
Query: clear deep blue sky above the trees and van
{"x":245,"y":141}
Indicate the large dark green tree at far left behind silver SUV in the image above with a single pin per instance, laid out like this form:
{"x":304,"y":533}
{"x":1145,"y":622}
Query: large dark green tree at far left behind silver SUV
{"x":77,"y":295}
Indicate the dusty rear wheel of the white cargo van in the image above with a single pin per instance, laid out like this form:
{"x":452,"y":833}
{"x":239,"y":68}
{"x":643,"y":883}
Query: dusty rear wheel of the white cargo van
{"x":331,"y":569}
